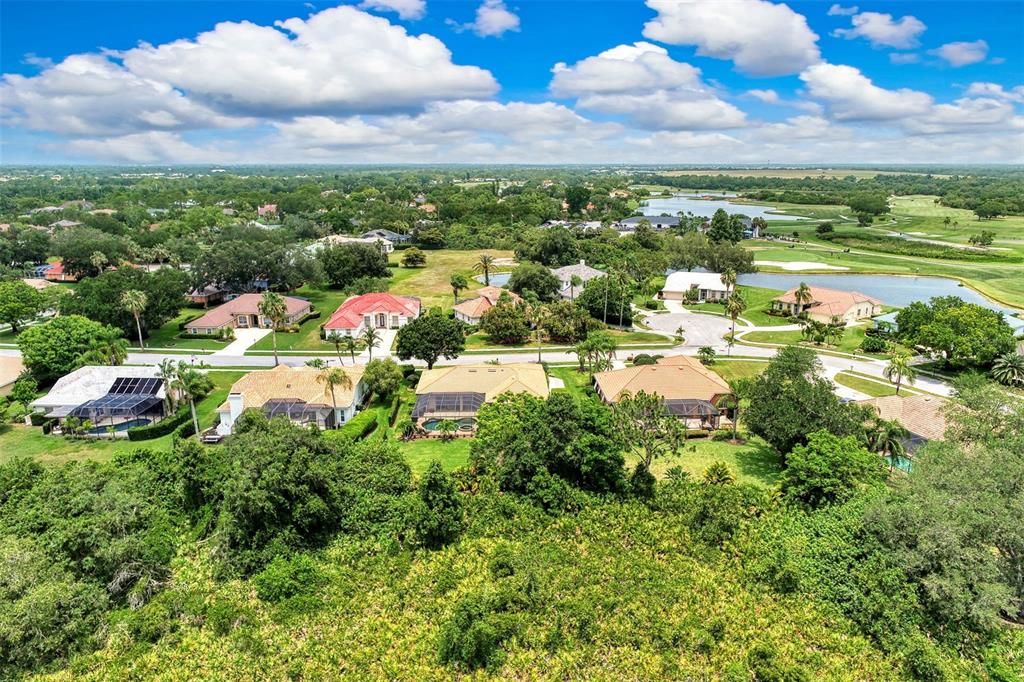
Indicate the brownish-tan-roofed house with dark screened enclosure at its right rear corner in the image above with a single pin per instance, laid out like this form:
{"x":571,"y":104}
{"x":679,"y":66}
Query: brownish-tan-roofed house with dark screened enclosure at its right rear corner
{"x":690,"y":391}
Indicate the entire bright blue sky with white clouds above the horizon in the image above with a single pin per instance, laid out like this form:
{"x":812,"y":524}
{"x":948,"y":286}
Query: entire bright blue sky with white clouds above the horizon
{"x":537,"y":81}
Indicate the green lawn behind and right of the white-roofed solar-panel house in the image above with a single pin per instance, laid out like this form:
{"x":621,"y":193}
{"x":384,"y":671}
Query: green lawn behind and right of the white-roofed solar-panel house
{"x":19,"y":441}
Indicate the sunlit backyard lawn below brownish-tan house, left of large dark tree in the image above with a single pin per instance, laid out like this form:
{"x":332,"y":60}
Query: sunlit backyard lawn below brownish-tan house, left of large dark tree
{"x":753,"y":462}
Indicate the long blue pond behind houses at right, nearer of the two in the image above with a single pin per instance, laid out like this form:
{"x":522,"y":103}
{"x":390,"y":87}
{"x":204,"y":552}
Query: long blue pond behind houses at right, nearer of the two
{"x":889,"y":289}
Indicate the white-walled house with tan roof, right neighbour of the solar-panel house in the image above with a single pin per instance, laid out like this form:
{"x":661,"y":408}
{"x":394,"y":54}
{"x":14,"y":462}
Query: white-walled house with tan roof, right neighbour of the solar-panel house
{"x":295,"y":393}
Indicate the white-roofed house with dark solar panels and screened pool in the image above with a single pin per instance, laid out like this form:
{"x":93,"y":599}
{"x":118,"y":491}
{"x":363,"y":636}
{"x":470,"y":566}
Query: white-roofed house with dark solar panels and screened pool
{"x":118,"y":397}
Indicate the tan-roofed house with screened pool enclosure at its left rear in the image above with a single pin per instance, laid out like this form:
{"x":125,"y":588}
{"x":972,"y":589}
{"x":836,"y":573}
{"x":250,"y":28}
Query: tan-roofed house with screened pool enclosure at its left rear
{"x":456,"y":394}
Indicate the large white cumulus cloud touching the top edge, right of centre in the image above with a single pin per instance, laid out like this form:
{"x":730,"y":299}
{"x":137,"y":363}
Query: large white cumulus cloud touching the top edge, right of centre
{"x":760,"y":37}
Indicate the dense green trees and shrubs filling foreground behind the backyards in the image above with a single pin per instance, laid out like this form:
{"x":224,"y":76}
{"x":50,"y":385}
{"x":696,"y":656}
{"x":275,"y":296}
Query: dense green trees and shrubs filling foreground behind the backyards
{"x":550,"y":556}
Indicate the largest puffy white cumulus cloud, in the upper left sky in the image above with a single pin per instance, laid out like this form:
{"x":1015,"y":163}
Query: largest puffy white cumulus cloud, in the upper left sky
{"x":339,"y":60}
